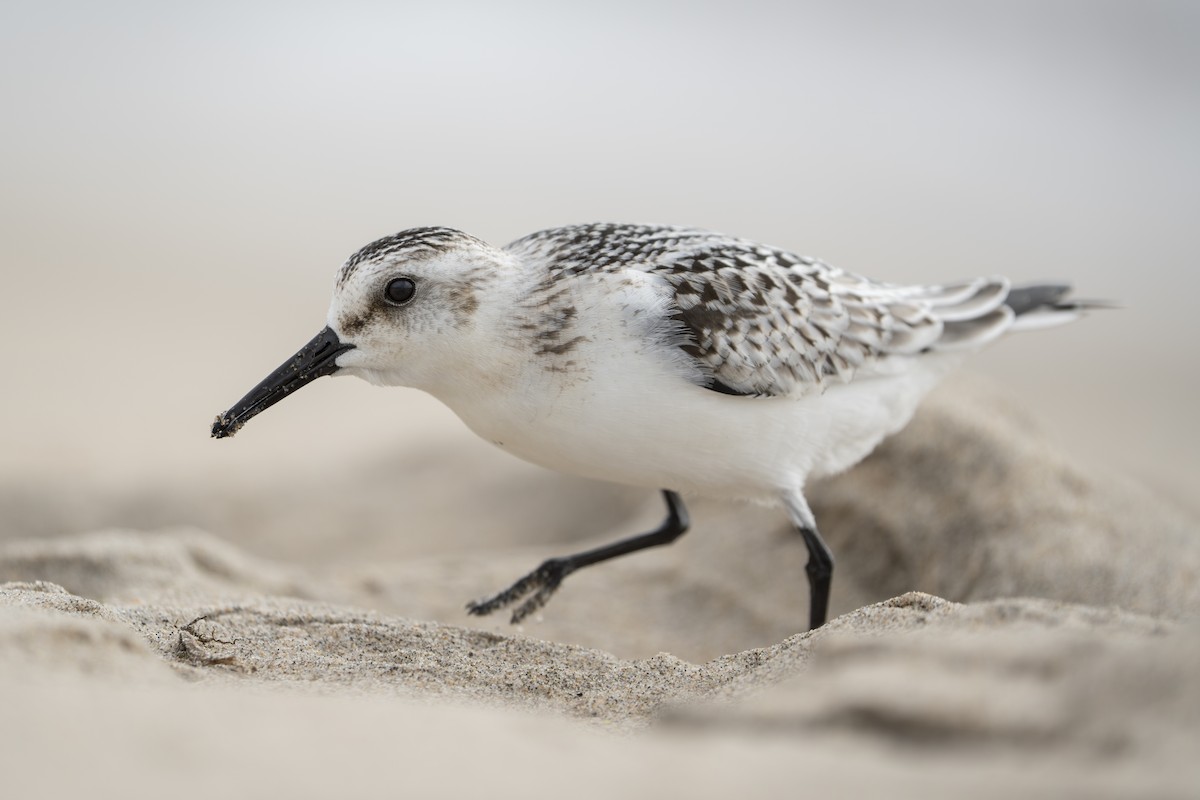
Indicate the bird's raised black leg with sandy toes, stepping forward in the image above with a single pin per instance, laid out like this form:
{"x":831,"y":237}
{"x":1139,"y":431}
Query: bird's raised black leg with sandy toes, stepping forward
{"x":542,"y":584}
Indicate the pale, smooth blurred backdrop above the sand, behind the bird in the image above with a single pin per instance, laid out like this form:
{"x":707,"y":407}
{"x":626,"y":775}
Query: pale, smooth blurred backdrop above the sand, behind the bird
{"x":181,"y":184}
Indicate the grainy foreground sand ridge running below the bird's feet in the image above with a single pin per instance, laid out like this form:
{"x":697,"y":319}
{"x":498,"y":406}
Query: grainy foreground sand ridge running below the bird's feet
{"x":917,"y":696}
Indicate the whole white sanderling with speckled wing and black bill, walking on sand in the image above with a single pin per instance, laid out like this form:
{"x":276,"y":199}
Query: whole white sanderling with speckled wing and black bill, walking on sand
{"x":657,"y":357}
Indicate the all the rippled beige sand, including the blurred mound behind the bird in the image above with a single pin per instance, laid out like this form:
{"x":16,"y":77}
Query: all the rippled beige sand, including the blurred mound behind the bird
{"x":1010,"y":623}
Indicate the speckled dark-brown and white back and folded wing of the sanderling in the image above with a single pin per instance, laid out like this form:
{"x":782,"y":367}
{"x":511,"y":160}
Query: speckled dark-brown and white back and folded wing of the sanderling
{"x":760,"y":321}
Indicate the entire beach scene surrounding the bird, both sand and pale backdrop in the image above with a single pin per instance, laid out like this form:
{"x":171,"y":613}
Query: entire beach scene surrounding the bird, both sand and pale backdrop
{"x":1017,"y":594}
